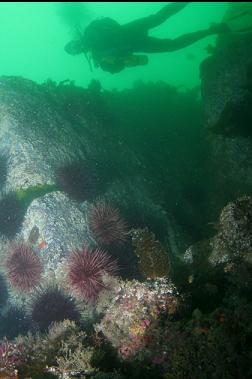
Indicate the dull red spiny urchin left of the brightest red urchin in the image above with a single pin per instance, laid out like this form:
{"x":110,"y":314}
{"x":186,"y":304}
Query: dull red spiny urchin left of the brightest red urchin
{"x":23,"y":267}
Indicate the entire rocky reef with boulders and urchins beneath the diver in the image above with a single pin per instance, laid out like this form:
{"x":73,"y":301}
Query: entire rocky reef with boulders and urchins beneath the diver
{"x":126,"y":252}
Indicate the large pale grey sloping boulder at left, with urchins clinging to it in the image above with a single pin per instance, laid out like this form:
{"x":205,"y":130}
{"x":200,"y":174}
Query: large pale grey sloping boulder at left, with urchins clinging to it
{"x":43,"y":128}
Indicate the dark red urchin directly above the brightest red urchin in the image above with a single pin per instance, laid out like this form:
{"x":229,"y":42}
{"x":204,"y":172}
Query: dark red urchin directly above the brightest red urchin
{"x":107,"y":225}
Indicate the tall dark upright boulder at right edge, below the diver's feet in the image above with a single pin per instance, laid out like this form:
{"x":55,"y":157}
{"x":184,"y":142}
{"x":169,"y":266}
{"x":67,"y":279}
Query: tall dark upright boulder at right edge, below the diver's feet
{"x":227,"y":96}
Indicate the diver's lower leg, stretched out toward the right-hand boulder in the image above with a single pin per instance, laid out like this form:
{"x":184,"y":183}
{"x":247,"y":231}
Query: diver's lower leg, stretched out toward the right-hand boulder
{"x":158,"y":45}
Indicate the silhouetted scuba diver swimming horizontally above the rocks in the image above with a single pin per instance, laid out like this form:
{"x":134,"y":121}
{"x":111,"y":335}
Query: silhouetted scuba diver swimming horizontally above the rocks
{"x":113,"y":47}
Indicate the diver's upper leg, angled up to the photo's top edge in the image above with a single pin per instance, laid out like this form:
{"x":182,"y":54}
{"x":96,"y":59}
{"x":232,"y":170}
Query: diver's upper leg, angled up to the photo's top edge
{"x":149,"y":22}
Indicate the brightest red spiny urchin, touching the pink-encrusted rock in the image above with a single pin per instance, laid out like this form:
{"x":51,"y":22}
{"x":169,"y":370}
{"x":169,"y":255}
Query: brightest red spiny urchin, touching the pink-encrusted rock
{"x":86,"y":269}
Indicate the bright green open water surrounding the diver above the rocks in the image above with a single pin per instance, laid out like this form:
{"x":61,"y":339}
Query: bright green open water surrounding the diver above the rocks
{"x":33,"y":36}
